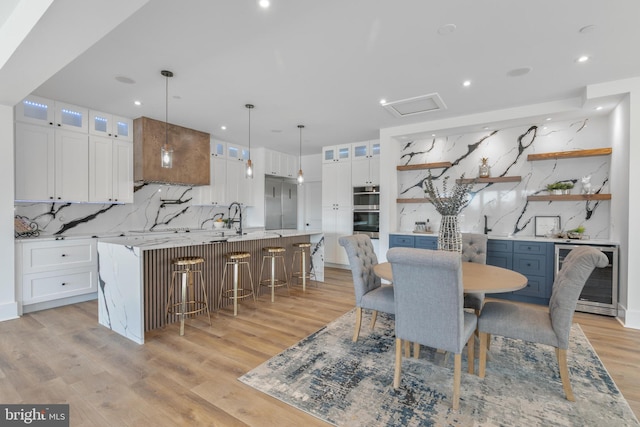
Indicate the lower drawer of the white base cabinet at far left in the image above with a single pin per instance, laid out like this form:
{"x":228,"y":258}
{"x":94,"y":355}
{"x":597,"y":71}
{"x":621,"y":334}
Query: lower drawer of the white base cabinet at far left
{"x":41,"y":287}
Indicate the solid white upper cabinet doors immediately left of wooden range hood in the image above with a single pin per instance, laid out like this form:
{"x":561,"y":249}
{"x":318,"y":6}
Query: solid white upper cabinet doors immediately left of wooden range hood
{"x":110,"y":170}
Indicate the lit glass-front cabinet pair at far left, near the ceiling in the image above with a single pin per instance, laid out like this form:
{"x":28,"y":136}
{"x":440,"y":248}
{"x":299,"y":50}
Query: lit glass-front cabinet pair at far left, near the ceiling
{"x":46,"y":112}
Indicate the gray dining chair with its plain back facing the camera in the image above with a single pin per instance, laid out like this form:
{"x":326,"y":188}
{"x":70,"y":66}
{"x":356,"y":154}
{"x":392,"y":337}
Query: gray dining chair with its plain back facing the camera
{"x":428,"y":295}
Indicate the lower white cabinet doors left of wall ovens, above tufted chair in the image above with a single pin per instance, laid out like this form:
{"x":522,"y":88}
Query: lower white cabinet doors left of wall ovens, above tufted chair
{"x":337,"y":221}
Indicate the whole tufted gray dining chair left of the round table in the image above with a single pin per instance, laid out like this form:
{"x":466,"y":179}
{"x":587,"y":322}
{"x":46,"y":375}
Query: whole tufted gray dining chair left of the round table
{"x":370,"y":293}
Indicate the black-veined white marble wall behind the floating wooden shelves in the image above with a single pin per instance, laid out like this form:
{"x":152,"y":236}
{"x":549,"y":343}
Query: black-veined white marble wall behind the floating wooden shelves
{"x":505,"y":204}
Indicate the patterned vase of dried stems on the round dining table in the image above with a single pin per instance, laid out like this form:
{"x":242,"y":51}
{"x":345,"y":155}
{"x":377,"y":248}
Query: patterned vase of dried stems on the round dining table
{"x":449,"y":204}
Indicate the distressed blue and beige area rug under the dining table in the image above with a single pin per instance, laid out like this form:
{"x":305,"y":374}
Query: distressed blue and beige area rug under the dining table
{"x":350,"y":384}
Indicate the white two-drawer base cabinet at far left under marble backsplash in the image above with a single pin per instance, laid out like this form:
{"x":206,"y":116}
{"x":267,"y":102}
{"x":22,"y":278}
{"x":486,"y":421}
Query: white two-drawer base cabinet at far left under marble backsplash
{"x":52,"y":273}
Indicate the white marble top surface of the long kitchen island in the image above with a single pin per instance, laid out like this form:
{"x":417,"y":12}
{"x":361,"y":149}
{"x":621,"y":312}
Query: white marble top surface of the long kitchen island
{"x":162,"y":240}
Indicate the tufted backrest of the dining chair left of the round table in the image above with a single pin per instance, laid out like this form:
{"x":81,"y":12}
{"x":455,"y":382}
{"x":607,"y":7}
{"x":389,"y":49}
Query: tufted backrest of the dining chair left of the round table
{"x":362,"y":258}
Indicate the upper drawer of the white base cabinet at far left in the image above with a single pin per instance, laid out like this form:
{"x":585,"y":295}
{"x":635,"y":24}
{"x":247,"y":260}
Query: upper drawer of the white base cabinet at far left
{"x":47,"y":256}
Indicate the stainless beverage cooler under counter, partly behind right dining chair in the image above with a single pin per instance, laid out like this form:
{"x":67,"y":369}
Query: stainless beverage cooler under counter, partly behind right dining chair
{"x":600,"y":292}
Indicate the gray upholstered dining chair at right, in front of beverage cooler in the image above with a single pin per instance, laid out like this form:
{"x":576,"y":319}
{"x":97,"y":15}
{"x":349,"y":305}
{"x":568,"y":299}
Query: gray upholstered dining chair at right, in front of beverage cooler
{"x":550,"y":327}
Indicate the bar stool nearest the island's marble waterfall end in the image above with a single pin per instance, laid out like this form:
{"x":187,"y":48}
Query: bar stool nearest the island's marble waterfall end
{"x":188,"y":305}
